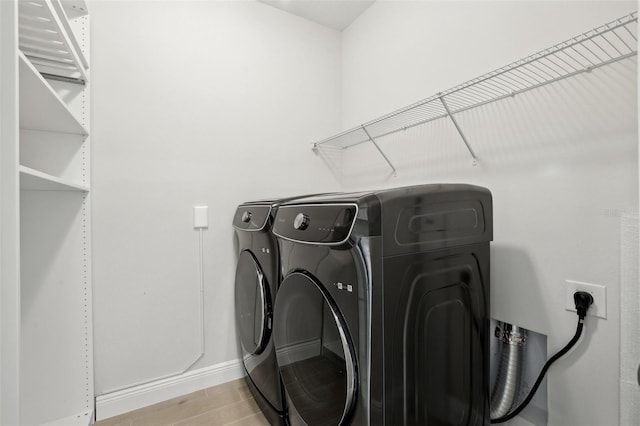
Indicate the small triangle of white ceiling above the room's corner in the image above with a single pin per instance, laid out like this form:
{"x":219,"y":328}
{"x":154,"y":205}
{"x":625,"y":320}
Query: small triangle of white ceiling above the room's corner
{"x":336,"y":14}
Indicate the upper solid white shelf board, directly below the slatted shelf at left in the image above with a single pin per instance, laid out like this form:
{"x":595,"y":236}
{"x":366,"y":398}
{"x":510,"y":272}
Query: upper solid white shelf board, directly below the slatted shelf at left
{"x":40,"y":106}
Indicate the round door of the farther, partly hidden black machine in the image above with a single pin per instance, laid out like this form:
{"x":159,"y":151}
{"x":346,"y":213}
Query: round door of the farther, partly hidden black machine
{"x":253,"y":304}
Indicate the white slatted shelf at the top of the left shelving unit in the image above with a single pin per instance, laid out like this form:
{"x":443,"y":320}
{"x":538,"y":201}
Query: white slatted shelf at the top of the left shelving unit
{"x":47,"y":41}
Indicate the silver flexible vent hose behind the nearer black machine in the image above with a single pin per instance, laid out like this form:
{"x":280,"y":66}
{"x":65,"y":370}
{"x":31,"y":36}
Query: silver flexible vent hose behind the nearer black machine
{"x":507,"y":385}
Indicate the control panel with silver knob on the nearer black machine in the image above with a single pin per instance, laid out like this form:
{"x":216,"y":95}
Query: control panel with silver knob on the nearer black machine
{"x":329,"y":224}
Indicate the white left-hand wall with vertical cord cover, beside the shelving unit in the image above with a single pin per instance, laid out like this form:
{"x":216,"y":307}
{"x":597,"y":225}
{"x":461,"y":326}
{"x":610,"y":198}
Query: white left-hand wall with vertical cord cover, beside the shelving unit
{"x":194,"y":103}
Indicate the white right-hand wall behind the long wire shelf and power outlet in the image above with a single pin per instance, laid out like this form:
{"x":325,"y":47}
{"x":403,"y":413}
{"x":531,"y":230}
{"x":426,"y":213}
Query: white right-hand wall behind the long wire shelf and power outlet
{"x":561,"y":162}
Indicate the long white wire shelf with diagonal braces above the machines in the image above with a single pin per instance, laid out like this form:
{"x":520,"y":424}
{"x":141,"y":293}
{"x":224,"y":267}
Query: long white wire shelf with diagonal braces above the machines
{"x":609,"y":43}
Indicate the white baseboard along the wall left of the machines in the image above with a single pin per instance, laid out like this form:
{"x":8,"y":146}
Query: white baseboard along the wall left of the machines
{"x":123,"y":401}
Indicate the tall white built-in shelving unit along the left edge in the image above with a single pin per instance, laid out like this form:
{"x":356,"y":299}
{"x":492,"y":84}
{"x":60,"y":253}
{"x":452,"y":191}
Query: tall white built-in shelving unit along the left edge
{"x":46,"y":196}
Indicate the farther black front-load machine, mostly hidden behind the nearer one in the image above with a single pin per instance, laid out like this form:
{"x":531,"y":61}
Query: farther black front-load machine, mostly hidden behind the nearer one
{"x":257,"y":279}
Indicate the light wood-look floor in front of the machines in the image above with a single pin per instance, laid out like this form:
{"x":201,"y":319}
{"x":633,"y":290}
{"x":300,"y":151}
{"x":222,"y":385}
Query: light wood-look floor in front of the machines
{"x":227,"y":404}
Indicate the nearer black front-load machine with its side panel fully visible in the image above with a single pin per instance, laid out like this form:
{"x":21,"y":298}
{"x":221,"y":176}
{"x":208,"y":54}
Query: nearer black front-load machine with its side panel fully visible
{"x":382,"y":317}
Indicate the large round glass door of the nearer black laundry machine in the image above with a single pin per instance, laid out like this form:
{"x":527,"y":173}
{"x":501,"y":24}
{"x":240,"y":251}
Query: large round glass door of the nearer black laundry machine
{"x":315,"y":352}
